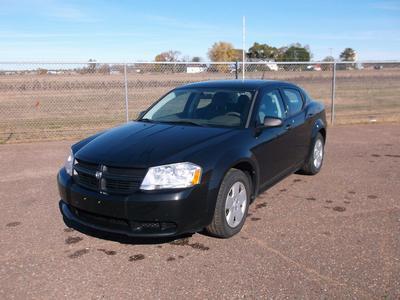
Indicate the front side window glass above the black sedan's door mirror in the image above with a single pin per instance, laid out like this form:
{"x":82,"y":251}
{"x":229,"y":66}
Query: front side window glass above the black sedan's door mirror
{"x":270,"y":106}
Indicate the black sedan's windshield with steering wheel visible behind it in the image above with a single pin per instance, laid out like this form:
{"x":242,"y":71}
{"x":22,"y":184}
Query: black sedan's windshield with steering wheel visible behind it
{"x":202,"y":107}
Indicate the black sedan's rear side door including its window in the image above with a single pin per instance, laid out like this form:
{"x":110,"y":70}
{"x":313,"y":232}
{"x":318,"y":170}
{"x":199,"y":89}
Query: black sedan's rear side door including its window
{"x":297,"y":135}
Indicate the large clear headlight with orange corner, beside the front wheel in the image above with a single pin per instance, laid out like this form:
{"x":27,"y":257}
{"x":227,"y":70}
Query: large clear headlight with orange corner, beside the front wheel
{"x":180,"y":175}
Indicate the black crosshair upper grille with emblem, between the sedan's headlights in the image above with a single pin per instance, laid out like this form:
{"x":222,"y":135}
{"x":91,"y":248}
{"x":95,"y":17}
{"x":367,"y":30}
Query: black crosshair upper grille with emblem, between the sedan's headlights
{"x":107,"y":179}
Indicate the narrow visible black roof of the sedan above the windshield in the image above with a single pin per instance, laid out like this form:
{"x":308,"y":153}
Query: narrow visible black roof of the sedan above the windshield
{"x":251,"y":84}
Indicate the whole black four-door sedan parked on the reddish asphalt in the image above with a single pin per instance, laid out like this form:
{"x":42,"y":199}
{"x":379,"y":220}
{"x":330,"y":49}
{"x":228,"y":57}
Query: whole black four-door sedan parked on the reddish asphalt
{"x":195,"y":160}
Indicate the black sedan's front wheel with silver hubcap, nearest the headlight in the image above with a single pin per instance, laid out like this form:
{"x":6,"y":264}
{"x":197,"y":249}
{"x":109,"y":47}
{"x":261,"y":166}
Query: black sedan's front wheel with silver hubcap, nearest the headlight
{"x":232,"y":205}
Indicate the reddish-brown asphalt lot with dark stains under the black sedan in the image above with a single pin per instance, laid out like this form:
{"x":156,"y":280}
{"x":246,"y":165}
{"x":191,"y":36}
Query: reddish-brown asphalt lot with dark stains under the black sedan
{"x":334,"y":235}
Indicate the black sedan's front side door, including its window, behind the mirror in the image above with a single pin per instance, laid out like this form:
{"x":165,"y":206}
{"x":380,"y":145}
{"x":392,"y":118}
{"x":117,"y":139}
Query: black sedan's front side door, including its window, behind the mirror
{"x":270,"y":147}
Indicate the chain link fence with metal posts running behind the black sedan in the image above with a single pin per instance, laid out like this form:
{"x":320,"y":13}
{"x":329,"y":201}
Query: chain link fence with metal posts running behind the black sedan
{"x":44,"y":101}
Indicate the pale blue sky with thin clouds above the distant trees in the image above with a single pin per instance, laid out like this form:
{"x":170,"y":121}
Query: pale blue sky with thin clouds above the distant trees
{"x":59,"y":30}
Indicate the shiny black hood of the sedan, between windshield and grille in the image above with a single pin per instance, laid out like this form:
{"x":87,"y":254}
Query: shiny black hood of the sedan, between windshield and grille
{"x":140,"y":144}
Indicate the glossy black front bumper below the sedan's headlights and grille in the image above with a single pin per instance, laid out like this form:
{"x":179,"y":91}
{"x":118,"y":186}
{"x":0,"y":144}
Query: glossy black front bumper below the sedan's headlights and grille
{"x":142,"y":214}
